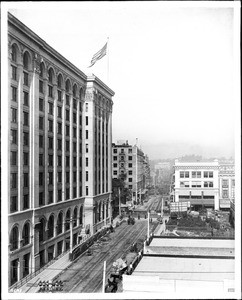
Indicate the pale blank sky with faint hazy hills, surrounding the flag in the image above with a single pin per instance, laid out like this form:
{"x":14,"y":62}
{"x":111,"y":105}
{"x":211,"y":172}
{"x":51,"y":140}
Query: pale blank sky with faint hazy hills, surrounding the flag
{"x":171,"y":68}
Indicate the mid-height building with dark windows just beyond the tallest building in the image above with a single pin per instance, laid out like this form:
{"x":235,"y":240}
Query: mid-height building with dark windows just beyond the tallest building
{"x":130,"y":163}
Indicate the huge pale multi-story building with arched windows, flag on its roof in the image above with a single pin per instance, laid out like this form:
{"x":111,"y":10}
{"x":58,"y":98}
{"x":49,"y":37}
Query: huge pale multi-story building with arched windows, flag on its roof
{"x":60,"y":133}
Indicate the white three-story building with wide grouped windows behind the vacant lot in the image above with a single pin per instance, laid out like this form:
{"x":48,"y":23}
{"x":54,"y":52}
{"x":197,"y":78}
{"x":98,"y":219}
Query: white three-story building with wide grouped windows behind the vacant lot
{"x":197,"y":182}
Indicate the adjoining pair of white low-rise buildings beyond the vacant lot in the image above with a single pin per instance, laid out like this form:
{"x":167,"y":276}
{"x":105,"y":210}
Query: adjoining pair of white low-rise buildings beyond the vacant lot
{"x":209,"y":184}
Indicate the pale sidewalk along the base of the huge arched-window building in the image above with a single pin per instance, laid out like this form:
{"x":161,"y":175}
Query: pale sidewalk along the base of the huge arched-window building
{"x":52,"y":271}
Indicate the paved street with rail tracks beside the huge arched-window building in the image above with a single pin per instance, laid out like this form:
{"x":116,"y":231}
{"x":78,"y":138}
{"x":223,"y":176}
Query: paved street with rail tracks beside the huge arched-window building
{"x":86,"y":274}
